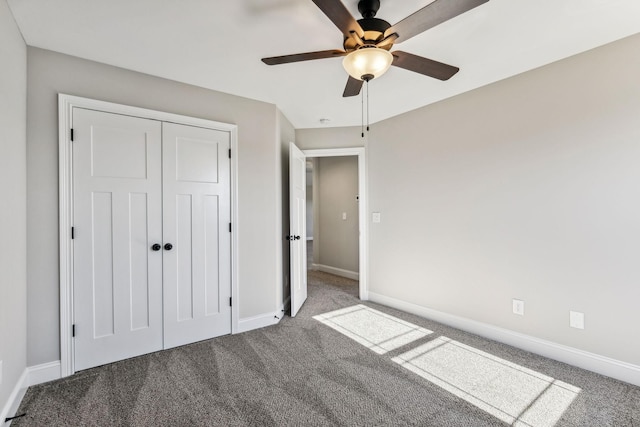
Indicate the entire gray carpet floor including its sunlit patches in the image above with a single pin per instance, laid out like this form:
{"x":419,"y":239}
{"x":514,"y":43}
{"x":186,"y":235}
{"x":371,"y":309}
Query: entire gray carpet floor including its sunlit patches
{"x":325,"y":368}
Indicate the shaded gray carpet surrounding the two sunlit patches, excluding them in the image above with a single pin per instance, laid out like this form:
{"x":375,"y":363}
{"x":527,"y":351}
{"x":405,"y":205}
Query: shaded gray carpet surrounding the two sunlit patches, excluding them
{"x":302,"y":372}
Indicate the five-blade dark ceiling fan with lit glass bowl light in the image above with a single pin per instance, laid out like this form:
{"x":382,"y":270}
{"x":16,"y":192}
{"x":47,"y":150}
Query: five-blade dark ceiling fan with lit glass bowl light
{"x":367,"y":41}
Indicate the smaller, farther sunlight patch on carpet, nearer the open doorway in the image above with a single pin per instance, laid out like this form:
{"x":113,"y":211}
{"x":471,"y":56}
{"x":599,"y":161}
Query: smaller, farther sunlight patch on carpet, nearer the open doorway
{"x":375,"y":330}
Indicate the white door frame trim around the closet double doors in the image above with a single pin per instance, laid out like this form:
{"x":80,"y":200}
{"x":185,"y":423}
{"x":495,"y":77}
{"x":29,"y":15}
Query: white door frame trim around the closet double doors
{"x":66,"y":103}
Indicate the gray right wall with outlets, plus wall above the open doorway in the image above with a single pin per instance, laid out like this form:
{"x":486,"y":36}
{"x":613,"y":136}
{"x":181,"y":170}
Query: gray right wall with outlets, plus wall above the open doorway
{"x":527,"y":188}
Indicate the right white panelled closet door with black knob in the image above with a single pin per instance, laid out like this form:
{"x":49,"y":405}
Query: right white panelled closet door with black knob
{"x":196,"y":217}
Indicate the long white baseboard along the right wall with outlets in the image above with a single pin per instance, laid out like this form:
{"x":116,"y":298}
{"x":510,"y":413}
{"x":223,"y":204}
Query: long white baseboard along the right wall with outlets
{"x":613,"y":368}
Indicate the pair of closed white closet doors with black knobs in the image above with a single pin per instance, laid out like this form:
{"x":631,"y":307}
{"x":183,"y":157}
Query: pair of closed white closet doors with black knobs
{"x":151,"y":235}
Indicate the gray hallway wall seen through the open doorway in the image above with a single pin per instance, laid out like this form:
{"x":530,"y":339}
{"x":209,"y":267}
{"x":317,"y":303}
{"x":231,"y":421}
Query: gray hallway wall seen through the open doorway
{"x":337,"y":240}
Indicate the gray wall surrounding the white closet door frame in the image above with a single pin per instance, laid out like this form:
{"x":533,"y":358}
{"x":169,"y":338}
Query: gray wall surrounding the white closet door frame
{"x":51,"y":73}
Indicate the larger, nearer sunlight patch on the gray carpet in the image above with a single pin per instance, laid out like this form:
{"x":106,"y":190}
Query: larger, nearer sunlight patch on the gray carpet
{"x":511,"y":393}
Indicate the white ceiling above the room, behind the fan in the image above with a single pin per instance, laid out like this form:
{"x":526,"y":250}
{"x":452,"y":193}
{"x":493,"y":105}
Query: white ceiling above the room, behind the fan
{"x":218,"y":44}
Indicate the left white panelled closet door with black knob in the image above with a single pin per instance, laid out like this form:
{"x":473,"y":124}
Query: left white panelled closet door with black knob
{"x":117,"y":219}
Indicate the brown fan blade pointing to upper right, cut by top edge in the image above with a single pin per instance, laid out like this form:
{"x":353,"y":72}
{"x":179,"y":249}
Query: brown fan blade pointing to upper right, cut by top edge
{"x":431,"y":15}
